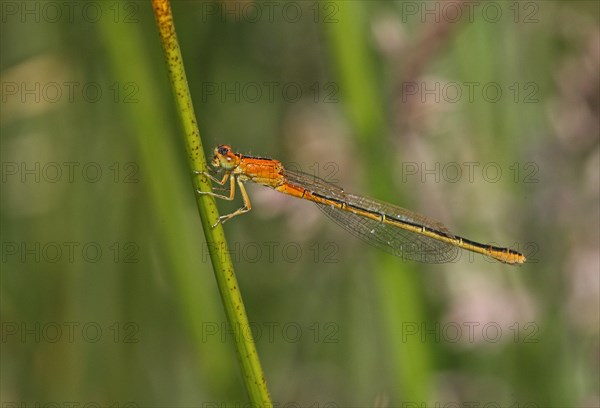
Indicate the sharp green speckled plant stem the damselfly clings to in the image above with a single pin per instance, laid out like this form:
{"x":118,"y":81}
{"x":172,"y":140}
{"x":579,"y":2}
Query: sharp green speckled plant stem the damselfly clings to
{"x":215,"y":237}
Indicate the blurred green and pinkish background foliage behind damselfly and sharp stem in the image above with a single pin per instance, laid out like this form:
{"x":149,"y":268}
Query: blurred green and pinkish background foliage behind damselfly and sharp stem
{"x":107,"y":293}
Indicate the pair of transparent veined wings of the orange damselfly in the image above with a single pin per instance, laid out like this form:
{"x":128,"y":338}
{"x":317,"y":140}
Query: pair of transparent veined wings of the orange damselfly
{"x":392,"y":239}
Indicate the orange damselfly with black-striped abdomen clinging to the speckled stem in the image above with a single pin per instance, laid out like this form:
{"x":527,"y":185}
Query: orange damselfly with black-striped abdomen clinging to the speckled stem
{"x":386,"y":226}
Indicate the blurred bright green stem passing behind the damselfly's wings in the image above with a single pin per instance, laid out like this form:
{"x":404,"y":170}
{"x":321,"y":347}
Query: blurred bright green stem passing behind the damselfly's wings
{"x":362,"y":101}
